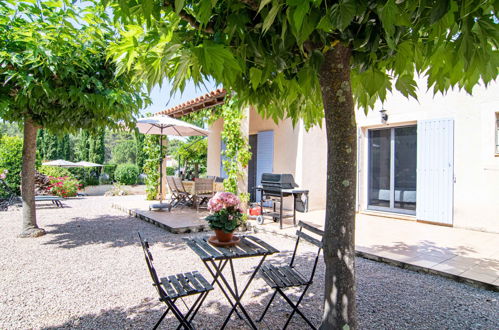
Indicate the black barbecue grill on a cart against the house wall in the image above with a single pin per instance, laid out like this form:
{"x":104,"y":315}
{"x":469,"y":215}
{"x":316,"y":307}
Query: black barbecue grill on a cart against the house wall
{"x":274,"y":188}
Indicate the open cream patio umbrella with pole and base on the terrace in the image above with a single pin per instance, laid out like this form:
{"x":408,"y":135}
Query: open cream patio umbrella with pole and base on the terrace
{"x":165,"y":125}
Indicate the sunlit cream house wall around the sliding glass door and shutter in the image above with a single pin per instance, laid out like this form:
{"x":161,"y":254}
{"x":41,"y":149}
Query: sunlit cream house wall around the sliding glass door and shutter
{"x":476,"y":166}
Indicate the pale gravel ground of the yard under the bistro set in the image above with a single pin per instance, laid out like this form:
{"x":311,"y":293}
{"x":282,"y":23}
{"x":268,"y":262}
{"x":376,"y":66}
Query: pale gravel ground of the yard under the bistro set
{"x":88,"y":272}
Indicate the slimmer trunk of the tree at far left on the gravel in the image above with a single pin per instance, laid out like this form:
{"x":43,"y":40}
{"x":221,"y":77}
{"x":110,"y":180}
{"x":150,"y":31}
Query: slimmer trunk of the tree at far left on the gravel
{"x":30,"y":228}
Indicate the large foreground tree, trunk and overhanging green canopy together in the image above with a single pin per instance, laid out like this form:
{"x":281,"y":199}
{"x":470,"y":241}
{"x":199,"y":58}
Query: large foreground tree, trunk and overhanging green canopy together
{"x":309,"y":59}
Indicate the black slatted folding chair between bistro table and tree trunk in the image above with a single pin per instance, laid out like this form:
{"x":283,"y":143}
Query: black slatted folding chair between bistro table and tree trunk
{"x":282,"y":277}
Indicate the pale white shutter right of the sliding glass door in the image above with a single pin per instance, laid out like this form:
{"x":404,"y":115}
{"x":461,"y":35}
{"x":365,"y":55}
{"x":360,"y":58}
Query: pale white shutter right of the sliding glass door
{"x":435,"y":171}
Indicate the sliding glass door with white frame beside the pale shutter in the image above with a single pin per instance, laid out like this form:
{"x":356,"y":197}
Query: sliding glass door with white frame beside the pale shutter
{"x":392,"y":169}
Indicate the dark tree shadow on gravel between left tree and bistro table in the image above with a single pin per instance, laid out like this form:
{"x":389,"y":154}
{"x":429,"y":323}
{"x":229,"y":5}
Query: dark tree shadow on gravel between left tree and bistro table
{"x":114,"y":231}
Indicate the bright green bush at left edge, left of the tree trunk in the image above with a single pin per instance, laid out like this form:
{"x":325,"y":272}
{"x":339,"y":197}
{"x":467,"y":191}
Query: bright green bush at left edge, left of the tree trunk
{"x":11,"y":160}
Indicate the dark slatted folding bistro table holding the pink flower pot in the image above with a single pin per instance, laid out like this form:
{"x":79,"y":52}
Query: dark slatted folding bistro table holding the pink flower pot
{"x":216,"y":258}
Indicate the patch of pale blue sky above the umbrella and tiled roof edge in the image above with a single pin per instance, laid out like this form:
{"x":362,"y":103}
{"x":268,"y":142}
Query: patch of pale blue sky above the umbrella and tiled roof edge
{"x":162,"y":100}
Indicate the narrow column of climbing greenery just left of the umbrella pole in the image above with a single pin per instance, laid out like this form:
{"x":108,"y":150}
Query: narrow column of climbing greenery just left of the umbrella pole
{"x":151,"y":165}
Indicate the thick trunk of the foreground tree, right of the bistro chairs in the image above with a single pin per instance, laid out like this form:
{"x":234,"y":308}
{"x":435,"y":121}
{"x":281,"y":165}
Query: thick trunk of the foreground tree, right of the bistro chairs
{"x":339,"y":240}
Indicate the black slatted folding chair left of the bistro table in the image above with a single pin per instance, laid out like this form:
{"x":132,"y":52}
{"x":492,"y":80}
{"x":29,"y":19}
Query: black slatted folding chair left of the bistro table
{"x":175,"y":287}
